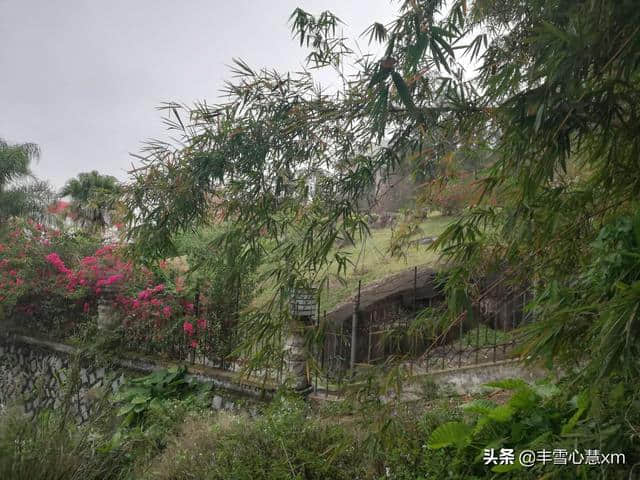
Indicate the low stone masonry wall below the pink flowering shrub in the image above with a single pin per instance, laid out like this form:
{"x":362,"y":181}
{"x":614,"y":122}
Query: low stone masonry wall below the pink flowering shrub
{"x":37,"y":374}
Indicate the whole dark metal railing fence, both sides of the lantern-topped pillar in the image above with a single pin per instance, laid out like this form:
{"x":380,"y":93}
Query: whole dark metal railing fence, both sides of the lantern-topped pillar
{"x":376,"y":334}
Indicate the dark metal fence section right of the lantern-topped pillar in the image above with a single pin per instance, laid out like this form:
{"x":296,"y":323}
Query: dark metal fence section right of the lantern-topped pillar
{"x":387,"y":331}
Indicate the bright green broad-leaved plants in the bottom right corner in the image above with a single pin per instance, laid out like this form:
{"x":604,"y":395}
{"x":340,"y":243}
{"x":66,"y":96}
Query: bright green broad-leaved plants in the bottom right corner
{"x":535,"y":417}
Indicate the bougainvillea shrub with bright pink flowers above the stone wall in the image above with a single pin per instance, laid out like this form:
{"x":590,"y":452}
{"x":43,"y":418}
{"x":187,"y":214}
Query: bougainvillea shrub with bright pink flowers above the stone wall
{"x":51,"y":279}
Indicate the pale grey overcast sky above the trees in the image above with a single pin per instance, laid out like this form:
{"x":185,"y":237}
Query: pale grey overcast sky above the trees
{"x":83,"y":78}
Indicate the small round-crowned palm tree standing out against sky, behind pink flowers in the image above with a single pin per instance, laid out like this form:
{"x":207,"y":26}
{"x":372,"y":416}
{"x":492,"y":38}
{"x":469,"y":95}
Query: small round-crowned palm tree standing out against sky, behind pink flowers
{"x":93,"y":198}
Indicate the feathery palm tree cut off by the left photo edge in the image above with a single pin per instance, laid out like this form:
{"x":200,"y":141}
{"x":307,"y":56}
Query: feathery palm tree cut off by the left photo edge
{"x":21,"y":194}
